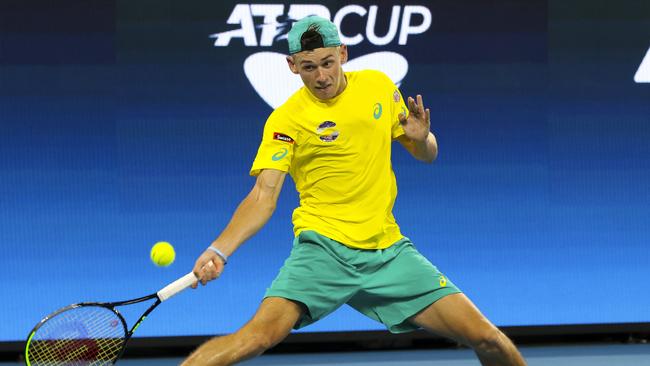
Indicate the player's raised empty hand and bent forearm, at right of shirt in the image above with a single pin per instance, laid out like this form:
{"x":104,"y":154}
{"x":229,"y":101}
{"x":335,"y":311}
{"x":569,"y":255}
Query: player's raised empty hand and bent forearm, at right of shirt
{"x":417,"y":137}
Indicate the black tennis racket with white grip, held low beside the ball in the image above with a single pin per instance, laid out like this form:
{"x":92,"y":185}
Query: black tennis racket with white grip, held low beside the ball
{"x":90,"y":333}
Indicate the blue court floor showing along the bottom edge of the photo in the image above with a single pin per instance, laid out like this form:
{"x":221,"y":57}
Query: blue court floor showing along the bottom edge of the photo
{"x":583,"y":355}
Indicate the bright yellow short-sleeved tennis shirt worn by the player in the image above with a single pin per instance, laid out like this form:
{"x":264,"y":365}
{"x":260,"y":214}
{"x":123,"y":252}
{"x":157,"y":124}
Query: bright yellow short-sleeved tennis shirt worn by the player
{"x":338,"y":153}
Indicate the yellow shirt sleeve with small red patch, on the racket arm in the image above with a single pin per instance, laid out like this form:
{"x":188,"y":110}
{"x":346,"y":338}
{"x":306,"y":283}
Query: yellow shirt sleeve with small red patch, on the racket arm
{"x":276,"y":149}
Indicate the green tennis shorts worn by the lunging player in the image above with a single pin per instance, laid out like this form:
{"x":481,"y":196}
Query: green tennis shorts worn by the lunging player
{"x":389,"y":285}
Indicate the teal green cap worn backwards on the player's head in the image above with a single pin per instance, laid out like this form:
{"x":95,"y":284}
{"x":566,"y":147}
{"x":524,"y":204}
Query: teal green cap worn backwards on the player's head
{"x":329,"y":35}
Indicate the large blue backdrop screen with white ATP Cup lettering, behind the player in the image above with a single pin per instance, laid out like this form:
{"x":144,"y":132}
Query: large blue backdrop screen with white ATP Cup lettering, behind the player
{"x":123,"y":124}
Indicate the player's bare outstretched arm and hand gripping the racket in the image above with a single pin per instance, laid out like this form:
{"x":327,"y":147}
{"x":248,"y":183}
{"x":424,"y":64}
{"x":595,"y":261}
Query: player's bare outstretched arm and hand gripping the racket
{"x":251,"y":215}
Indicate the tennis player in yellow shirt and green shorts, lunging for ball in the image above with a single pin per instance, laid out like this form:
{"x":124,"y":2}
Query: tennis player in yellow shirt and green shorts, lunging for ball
{"x":334,"y":137}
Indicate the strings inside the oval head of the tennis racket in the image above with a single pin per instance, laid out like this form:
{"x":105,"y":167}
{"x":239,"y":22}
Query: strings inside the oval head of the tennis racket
{"x":87,"y":335}
